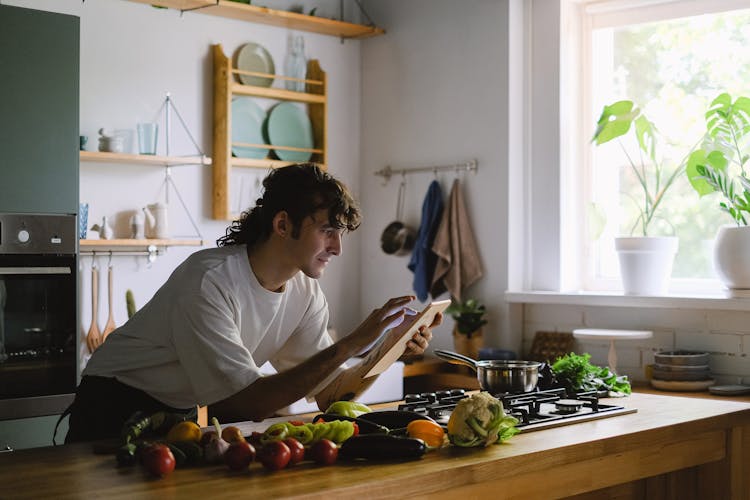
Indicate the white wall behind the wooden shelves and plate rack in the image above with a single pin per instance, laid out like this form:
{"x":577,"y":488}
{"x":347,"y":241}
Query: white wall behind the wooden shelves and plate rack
{"x":131,"y":54}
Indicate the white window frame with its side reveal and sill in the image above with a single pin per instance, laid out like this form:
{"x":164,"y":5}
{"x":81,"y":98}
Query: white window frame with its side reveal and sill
{"x":547,"y":260}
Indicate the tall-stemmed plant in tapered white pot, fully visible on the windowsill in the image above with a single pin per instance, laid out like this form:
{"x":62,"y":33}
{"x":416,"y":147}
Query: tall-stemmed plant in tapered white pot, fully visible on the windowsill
{"x":645,"y":260}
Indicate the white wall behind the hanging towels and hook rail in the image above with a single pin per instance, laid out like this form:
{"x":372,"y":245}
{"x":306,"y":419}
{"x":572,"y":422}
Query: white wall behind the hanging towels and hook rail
{"x":435,"y":92}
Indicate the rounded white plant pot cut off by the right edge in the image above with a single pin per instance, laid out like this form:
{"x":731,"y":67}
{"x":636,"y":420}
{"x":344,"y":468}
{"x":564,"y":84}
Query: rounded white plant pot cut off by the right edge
{"x":732,"y":258}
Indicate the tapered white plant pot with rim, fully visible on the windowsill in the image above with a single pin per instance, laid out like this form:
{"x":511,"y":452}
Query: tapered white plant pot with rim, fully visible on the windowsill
{"x":646,"y":263}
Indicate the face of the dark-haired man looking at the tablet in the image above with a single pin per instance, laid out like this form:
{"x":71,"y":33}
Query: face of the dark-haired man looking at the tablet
{"x":318,"y":241}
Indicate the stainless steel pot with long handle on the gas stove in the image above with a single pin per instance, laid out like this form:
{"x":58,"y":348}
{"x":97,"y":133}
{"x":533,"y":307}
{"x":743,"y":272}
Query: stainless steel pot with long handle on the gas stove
{"x":498,"y":376}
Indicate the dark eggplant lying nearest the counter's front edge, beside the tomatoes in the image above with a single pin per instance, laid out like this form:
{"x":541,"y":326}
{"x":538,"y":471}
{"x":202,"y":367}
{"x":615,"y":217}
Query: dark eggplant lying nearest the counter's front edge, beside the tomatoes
{"x":381,"y":447}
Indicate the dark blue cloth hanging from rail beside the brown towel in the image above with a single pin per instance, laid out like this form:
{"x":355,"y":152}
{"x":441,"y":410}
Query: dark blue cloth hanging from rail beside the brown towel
{"x":423,"y":259}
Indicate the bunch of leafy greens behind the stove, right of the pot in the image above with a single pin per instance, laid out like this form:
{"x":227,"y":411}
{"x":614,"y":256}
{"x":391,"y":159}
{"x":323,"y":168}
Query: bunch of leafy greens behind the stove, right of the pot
{"x":576,"y":373}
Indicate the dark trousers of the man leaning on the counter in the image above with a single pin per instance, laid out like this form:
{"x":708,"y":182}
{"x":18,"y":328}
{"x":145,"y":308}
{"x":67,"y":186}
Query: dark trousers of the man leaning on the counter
{"x":102,"y":405}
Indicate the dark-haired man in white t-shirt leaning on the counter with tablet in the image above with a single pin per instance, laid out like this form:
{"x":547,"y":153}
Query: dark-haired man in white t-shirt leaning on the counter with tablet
{"x":225,"y":311}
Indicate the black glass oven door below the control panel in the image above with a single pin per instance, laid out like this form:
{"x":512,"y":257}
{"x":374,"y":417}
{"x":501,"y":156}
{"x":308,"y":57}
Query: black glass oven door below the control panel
{"x":37,"y":334}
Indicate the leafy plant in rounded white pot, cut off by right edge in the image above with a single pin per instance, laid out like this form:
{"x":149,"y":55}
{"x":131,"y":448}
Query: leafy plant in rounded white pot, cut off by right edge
{"x":718,"y":166}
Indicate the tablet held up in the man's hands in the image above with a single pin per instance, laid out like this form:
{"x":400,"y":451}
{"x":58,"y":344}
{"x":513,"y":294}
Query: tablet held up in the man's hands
{"x":393,"y":343}
